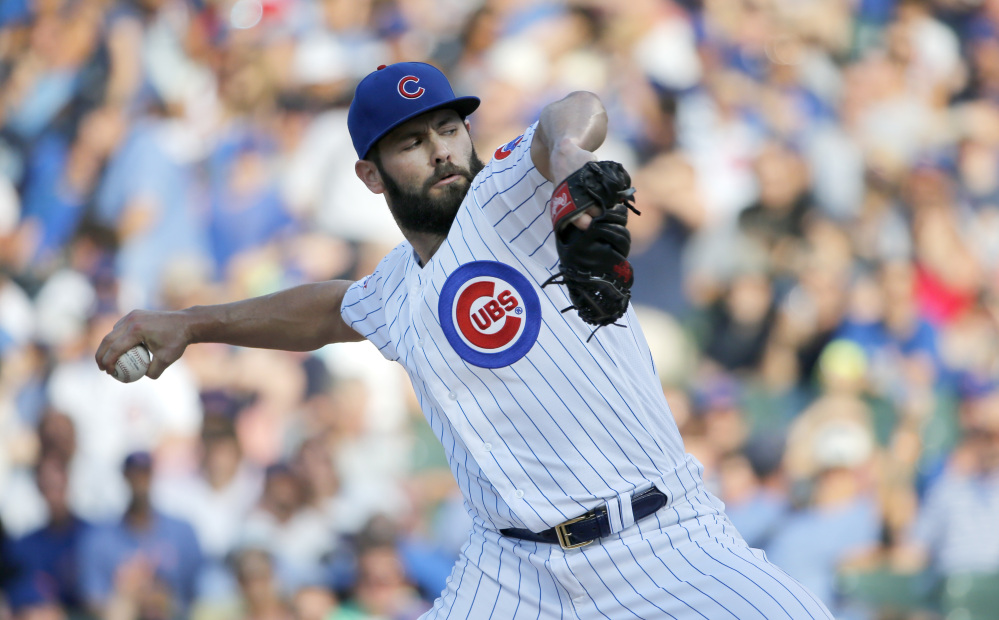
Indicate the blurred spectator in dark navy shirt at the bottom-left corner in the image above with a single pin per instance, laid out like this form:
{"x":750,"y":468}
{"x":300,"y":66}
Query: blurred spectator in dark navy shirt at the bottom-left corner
{"x":46,"y":559}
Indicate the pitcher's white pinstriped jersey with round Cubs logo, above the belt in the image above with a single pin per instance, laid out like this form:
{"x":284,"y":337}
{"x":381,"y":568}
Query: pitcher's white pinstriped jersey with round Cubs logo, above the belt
{"x":538,"y":425}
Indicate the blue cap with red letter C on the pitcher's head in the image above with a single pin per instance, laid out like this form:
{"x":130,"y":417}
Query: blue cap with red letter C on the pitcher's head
{"x":394,"y":94}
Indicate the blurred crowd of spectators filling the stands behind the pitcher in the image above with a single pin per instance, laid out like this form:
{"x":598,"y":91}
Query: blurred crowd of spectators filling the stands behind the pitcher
{"x":817,"y":272}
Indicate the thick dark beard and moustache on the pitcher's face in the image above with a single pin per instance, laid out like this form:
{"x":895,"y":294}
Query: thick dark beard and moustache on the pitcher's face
{"x":417,"y":211}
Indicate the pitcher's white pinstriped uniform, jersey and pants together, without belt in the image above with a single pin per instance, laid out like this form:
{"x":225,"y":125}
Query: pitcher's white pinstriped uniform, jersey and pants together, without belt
{"x":540,"y":426}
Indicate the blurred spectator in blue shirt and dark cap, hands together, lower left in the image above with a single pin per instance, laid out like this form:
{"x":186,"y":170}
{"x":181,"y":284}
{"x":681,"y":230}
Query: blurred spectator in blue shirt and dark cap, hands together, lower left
{"x":166,"y":549}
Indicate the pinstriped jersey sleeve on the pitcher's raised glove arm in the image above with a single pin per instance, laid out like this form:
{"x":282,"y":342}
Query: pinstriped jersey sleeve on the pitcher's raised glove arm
{"x":512,"y":196}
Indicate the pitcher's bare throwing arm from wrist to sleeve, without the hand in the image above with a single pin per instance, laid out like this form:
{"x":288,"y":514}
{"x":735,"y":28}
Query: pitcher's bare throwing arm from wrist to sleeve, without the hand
{"x":303,"y":318}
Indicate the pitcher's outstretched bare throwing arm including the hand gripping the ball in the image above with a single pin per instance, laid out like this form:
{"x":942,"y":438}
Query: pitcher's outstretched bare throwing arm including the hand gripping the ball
{"x":302,"y":318}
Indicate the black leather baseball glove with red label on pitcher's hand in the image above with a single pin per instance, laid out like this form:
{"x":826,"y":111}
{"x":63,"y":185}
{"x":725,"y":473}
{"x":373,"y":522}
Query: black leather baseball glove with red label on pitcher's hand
{"x":593,"y":263}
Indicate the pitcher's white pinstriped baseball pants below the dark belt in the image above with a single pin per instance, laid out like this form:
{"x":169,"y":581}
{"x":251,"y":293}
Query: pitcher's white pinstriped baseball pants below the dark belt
{"x":685,"y":561}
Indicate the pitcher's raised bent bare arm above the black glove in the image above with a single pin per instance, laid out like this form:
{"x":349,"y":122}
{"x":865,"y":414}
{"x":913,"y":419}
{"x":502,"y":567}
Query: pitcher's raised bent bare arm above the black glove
{"x":568,"y":132}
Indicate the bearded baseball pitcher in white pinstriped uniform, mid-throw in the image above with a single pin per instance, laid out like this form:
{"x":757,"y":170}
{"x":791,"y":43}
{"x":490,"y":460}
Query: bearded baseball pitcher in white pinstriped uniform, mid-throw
{"x":508,"y":306}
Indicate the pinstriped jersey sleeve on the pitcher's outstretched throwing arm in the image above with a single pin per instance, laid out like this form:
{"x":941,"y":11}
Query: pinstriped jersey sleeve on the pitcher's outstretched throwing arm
{"x":363,"y":306}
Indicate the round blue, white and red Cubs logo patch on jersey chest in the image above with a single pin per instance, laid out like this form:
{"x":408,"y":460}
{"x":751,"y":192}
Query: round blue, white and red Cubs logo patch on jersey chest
{"x":490,"y":313}
